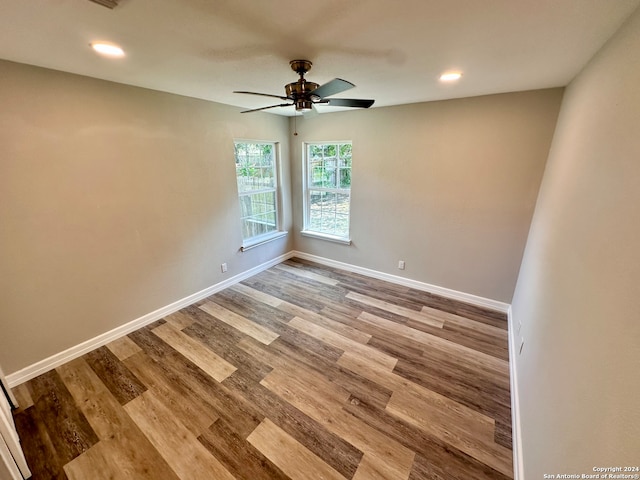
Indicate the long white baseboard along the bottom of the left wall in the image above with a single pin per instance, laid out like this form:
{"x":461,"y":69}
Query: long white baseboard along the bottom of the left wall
{"x":76,"y":351}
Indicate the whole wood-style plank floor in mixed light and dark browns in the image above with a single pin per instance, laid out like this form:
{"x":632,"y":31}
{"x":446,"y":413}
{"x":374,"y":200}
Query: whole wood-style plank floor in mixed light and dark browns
{"x":301,"y":372}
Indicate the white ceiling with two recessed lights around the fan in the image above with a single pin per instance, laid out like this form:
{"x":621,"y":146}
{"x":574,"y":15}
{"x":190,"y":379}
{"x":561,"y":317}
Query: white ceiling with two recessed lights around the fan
{"x":393,"y":50}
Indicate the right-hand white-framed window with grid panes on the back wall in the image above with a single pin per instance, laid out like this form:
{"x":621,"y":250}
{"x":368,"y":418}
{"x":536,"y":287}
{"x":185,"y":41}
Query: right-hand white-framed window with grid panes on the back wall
{"x":327,"y":183}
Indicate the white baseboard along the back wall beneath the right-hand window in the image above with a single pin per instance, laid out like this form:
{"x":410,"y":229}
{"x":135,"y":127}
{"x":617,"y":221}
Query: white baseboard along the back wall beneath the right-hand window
{"x":407,"y":282}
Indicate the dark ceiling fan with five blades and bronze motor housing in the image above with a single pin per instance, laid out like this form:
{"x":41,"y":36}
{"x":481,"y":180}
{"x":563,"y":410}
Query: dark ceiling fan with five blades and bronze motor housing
{"x":304,"y":95}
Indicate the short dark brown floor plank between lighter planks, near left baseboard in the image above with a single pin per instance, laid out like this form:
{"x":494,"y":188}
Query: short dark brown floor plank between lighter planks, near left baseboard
{"x":114,"y":374}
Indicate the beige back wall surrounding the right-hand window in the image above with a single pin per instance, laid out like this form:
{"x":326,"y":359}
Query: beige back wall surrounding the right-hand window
{"x":449,"y":187}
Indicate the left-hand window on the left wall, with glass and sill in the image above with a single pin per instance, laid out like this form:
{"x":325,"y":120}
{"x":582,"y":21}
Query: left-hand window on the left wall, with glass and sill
{"x":257,"y":177}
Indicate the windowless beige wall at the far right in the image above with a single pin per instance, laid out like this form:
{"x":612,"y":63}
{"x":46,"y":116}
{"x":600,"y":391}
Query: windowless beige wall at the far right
{"x":578,"y":294}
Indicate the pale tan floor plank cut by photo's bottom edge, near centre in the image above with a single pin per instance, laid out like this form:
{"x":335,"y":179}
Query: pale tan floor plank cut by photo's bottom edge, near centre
{"x":290,"y":456}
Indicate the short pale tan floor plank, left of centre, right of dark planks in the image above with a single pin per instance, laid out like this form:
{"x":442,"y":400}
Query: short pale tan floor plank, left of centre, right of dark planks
{"x":195,"y":351}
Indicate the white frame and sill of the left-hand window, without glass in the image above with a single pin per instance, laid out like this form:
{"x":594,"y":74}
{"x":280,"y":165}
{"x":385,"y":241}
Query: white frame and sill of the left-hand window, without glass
{"x":251,"y":242}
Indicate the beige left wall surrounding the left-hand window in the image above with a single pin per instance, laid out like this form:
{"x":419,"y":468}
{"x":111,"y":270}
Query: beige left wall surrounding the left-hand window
{"x":114,"y":201}
